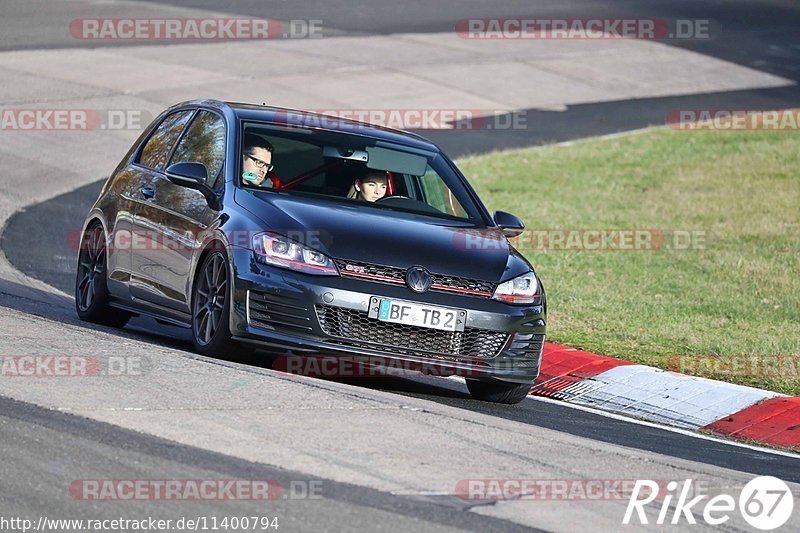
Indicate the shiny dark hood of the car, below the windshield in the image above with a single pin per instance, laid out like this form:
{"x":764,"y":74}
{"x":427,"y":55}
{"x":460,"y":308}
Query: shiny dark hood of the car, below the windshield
{"x":389,"y":238}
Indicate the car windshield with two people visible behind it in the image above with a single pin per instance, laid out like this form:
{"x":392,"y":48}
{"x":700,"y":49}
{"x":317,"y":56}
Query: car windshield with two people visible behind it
{"x":356,"y":169}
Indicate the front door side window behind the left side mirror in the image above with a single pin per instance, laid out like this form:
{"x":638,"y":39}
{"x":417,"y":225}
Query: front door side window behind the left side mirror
{"x":203,"y":142}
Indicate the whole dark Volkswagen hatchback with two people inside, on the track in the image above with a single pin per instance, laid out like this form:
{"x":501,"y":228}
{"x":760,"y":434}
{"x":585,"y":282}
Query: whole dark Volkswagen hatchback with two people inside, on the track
{"x":246,"y":224}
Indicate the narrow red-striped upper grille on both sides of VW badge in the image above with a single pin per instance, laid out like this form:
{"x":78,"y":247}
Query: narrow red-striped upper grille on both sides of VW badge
{"x":441,"y":282}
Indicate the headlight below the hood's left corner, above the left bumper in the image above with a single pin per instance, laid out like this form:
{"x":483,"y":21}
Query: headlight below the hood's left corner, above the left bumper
{"x":276,"y":250}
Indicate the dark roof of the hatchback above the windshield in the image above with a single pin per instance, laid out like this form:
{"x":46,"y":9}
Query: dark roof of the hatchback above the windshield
{"x":311,"y":120}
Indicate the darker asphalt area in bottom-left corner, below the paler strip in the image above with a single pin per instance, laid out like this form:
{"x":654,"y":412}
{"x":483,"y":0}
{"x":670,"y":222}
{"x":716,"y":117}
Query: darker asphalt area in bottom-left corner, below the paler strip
{"x":45,"y":452}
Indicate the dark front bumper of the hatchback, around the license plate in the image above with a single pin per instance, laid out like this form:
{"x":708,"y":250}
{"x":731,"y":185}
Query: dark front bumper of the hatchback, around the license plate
{"x":294,"y":313}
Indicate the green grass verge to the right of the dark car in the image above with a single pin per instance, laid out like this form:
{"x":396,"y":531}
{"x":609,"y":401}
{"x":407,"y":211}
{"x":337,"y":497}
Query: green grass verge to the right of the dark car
{"x":732,"y":298}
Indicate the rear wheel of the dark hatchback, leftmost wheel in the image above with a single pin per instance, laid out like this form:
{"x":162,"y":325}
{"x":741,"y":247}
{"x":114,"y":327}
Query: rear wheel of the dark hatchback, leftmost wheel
{"x":91,"y":288}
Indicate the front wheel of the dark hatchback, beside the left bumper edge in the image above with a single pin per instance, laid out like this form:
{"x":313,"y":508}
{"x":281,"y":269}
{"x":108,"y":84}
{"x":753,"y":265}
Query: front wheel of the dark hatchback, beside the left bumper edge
{"x":211,"y":304}
